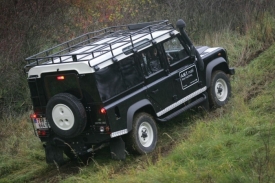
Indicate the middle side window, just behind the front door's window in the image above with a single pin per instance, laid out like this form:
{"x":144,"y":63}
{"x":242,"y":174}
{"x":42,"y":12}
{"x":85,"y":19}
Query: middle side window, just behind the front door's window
{"x":150,"y":60}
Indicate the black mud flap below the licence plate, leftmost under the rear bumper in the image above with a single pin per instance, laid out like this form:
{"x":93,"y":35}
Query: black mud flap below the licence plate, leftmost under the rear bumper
{"x":53,"y":154}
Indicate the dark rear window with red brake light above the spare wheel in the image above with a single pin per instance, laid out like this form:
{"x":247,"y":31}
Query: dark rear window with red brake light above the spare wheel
{"x":61,"y":83}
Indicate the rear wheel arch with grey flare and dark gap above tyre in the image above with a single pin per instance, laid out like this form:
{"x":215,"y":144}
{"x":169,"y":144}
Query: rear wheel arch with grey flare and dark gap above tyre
{"x":142,"y":105}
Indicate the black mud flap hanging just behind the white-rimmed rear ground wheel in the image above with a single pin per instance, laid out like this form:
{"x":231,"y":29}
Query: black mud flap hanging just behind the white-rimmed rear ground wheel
{"x":117,"y":146}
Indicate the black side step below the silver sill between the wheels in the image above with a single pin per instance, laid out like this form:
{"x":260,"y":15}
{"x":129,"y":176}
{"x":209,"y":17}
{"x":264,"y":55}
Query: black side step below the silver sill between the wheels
{"x":185,"y":108}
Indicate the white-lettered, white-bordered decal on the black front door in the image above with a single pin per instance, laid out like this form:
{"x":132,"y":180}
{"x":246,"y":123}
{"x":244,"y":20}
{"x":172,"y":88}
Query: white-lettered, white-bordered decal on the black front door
{"x":188,"y":77}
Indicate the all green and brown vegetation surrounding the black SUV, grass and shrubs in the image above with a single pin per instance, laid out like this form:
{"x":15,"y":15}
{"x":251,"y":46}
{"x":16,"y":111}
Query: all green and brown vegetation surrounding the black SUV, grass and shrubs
{"x":233,"y":144}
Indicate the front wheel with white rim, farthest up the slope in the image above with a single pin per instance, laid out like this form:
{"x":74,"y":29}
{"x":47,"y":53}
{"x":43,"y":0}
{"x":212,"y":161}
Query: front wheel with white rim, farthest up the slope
{"x":220,"y":89}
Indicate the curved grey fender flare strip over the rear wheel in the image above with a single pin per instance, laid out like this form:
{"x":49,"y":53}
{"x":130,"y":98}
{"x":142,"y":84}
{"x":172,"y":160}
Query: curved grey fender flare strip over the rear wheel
{"x":132,"y":109}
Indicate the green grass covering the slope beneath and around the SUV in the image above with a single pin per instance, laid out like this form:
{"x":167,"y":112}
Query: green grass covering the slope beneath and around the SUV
{"x":235,"y":143}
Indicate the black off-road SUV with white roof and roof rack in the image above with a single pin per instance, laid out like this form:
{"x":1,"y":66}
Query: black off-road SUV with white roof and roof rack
{"x":113,"y":85}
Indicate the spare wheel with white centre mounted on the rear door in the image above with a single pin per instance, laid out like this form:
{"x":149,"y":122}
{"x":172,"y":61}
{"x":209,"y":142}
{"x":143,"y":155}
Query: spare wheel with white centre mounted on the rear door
{"x":66,"y":115}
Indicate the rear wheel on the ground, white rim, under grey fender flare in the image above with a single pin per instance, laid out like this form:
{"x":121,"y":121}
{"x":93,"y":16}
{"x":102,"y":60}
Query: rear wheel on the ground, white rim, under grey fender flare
{"x":143,"y":137}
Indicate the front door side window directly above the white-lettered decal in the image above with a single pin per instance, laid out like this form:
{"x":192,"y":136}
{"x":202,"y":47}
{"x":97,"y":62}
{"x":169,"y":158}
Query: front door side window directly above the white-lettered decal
{"x":174,"y":50}
